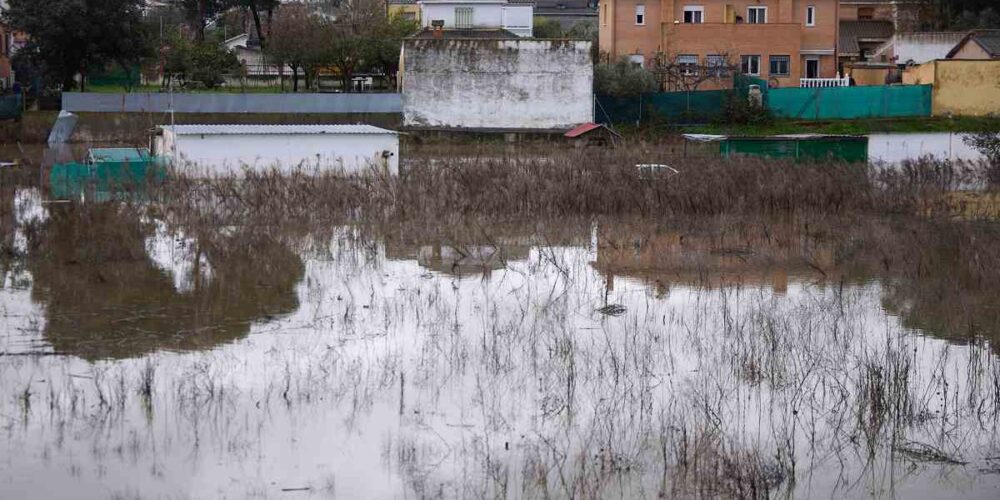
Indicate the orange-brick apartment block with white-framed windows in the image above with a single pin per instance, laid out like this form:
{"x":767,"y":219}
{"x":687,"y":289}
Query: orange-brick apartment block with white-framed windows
{"x":782,"y":41}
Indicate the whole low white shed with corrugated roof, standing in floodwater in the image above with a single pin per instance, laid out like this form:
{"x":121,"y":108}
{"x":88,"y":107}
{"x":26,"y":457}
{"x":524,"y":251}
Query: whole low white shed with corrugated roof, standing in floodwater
{"x":232,"y":149}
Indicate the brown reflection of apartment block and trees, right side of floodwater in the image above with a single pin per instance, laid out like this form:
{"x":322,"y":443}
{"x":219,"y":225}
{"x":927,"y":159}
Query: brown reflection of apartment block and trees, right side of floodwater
{"x":941,"y":278}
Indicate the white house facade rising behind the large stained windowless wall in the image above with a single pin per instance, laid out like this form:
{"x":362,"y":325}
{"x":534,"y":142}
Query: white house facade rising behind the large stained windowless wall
{"x":516,"y":17}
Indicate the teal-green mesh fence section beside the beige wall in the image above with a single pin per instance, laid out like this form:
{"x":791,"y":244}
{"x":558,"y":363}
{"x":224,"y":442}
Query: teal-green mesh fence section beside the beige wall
{"x":832,"y":103}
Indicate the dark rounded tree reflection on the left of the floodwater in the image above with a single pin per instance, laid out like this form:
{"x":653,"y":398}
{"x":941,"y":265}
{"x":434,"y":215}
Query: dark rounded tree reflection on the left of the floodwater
{"x":106,"y":297}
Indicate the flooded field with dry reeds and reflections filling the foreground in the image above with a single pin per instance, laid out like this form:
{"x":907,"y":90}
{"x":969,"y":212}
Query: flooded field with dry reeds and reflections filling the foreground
{"x":228,"y":349}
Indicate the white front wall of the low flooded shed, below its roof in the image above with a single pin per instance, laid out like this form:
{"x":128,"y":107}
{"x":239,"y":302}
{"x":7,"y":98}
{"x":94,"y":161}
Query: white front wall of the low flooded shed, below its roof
{"x":231,"y":154}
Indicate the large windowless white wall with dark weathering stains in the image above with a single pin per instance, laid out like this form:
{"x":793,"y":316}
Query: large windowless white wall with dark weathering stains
{"x":497,"y":84}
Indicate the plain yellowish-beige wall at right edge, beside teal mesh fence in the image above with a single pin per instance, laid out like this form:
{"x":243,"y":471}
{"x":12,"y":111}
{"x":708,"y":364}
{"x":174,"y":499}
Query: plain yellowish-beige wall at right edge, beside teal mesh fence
{"x":970,"y":88}
